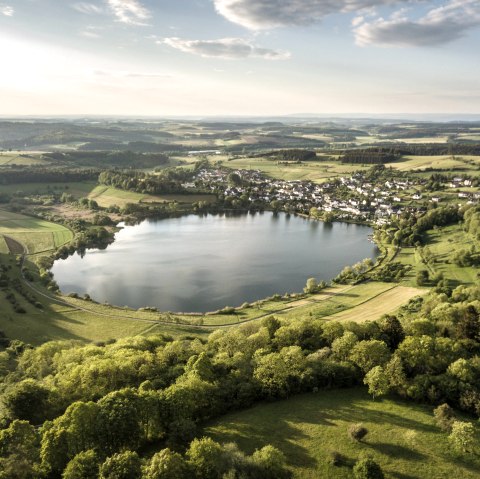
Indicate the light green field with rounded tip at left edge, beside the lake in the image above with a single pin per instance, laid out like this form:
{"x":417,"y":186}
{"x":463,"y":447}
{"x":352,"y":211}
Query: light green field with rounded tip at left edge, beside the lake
{"x":35,"y":234}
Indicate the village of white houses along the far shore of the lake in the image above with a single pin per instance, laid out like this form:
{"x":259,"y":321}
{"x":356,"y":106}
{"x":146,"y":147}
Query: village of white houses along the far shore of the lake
{"x":361,"y":197}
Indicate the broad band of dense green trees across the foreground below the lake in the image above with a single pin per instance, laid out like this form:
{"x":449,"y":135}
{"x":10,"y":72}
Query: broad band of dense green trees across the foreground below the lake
{"x":67,"y":405}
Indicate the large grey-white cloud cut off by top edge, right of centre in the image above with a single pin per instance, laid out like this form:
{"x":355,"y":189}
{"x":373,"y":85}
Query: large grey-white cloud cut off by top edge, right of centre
{"x":261,"y":14}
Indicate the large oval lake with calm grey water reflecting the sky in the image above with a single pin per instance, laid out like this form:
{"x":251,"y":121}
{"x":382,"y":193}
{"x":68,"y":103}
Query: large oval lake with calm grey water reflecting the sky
{"x":203,"y":263}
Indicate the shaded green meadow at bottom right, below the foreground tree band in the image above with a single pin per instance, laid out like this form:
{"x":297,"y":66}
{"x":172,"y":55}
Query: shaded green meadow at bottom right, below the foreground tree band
{"x":402,"y":436}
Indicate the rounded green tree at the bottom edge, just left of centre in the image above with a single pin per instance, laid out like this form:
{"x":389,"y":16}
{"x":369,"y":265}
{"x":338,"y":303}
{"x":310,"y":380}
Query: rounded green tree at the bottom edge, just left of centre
{"x":206,"y":458}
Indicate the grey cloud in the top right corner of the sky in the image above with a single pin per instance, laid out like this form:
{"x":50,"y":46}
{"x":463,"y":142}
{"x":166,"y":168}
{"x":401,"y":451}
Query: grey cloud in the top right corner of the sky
{"x":439,"y":26}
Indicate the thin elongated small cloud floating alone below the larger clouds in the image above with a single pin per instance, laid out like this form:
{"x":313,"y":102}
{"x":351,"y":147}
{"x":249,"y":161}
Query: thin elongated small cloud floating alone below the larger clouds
{"x":232,"y":48}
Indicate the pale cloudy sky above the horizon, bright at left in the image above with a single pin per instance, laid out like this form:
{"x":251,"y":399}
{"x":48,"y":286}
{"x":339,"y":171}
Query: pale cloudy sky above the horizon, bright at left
{"x":239,"y":57}
